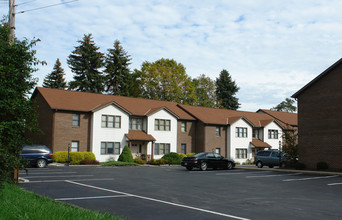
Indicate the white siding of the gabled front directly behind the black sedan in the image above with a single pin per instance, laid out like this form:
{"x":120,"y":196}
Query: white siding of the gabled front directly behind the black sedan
{"x":240,"y":142}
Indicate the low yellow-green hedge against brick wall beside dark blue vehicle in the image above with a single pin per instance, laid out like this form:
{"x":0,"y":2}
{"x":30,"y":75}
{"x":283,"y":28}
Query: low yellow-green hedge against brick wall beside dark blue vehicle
{"x":75,"y":157}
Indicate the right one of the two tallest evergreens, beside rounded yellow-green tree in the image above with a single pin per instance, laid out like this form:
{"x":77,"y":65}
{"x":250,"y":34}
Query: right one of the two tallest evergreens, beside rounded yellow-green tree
{"x":118,"y":75}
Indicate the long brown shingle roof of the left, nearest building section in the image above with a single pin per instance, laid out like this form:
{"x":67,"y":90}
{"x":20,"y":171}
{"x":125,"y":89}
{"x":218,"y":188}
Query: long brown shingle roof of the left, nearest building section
{"x":84,"y":101}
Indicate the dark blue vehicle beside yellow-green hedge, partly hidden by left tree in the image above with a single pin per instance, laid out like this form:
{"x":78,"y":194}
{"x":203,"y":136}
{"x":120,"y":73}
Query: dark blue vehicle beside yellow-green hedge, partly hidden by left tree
{"x":37,"y":155}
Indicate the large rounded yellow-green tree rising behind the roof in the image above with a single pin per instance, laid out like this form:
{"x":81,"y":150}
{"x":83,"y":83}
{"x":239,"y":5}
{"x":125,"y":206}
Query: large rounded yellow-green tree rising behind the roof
{"x":165,"y":79}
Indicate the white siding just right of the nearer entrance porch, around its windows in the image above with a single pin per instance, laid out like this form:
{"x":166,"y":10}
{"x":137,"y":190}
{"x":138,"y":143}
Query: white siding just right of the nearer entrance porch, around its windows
{"x":169,"y":137}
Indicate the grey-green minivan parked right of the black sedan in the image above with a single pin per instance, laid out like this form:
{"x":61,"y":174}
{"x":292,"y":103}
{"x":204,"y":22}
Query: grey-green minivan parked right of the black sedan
{"x":268,"y":158}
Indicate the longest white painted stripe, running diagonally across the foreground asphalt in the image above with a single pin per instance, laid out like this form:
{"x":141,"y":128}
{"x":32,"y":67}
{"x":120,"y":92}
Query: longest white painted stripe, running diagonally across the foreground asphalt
{"x":160,"y":201}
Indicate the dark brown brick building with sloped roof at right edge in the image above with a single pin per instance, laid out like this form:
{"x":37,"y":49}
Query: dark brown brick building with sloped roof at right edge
{"x":320,"y":119}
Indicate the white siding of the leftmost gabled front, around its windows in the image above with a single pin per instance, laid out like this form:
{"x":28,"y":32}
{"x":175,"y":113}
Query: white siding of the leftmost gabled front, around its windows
{"x":100,"y":134}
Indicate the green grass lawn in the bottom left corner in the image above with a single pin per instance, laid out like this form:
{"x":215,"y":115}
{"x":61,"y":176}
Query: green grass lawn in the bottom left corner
{"x":16,"y":203}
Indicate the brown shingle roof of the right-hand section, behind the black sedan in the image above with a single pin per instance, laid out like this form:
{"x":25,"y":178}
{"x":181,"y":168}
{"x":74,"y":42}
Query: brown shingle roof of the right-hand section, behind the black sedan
{"x":226,"y":116}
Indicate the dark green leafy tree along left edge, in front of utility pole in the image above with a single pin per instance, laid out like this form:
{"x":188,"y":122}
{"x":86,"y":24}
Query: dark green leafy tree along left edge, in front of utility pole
{"x":17,"y":115}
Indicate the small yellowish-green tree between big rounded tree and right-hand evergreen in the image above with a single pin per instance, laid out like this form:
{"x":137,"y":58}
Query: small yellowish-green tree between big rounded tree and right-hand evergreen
{"x":205,"y":91}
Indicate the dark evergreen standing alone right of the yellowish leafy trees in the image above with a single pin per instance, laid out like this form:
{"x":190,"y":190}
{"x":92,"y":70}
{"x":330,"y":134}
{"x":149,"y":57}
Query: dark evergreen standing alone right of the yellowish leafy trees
{"x":226,"y":89}
